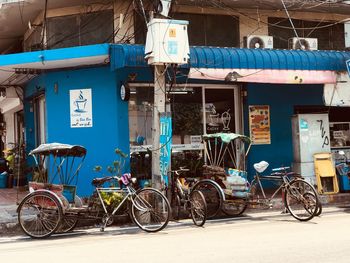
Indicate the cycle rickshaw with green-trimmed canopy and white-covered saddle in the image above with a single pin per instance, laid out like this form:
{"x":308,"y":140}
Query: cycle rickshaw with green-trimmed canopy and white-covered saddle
{"x":227,"y":189}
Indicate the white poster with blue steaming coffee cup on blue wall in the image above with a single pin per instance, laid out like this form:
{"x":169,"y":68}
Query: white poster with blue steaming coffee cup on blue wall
{"x":80,"y":108}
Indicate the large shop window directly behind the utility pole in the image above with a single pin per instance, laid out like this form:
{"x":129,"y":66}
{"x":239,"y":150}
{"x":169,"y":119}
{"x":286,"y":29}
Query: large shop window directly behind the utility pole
{"x":186,"y":108}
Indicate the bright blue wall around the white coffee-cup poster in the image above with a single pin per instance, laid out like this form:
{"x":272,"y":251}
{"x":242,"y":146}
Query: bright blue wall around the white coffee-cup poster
{"x":109,"y":113}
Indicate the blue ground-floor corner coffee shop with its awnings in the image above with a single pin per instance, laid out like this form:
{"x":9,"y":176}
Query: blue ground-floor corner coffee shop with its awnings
{"x":94,"y":74}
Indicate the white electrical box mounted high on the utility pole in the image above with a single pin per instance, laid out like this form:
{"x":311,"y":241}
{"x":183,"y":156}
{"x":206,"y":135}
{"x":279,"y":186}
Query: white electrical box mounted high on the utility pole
{"x":167,"y":42}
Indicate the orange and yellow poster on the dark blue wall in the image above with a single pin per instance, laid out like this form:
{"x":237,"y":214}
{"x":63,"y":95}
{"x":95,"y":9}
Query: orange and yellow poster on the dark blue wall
{"x":259,"y":124}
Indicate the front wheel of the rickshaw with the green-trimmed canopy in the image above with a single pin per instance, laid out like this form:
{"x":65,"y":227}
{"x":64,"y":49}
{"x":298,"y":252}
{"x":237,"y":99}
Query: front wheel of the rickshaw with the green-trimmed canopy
{"x":301,"y":200}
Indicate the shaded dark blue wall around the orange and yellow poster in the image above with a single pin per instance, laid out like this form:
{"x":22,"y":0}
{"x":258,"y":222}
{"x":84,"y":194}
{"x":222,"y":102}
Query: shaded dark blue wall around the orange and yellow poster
{"x":281,"y":99}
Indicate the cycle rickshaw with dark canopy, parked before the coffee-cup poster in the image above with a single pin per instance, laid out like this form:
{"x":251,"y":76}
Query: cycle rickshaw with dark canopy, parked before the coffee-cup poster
{"x":52,"y":207}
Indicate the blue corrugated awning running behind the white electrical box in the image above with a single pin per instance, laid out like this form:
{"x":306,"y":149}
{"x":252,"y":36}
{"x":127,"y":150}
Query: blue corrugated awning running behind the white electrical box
{"x":123,"y":55}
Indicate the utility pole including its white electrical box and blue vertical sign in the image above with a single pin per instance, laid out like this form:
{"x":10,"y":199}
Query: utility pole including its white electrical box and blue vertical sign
{"x":166,"y":44}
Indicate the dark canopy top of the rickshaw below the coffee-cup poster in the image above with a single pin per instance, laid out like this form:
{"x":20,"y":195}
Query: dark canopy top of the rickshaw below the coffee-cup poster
{"x":59,"y":149}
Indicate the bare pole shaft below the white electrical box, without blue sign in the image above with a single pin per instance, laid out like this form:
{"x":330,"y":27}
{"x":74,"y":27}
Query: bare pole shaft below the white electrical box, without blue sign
{"x":158,"y":108}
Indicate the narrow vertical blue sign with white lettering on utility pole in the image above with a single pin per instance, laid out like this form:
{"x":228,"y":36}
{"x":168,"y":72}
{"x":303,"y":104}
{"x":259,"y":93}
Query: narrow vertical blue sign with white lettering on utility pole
{"x":165,"y":141}
